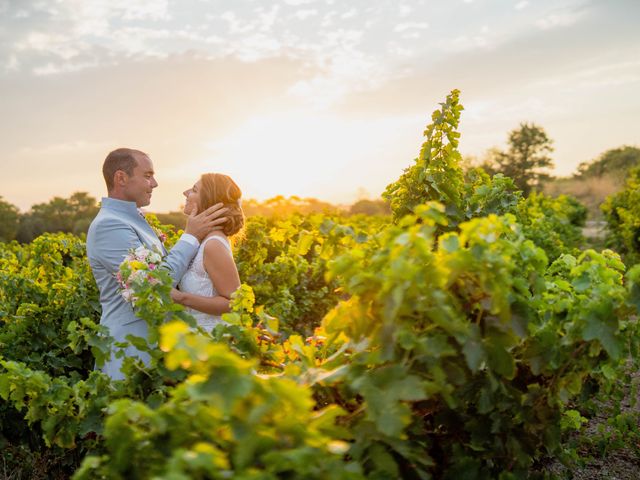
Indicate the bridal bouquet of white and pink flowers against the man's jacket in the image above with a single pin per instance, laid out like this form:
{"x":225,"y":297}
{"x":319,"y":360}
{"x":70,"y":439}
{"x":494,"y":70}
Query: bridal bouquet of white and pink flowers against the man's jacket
{"x":136,"y":270}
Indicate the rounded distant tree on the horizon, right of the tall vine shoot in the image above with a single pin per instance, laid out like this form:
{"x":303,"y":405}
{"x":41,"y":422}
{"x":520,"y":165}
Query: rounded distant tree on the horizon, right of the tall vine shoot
{"x":526,"y":158}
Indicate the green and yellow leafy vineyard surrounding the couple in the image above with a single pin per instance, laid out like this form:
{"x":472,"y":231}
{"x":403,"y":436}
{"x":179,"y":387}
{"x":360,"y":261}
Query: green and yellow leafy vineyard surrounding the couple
{"x":470,"y":335}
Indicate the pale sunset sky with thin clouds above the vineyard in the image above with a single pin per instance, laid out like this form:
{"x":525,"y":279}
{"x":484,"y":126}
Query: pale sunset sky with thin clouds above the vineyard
{"x":315,"y":98}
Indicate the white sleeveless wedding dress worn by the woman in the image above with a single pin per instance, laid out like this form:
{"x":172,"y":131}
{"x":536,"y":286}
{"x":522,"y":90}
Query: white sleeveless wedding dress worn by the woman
{"x":196,"y":281}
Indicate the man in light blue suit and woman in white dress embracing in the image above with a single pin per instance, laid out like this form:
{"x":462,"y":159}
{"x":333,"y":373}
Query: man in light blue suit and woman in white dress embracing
{"x":201,"y":262}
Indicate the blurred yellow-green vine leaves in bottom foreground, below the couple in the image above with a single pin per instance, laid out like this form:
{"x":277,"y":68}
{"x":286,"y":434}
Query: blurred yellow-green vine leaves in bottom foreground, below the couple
{"x":221,"y":422}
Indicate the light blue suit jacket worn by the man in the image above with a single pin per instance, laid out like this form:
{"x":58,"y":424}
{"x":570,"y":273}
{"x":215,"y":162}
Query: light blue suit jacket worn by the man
{"x":118,"y":227}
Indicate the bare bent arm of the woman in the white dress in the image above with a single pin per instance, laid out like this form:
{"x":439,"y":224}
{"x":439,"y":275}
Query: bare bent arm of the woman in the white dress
{"x":221,"y":268}
